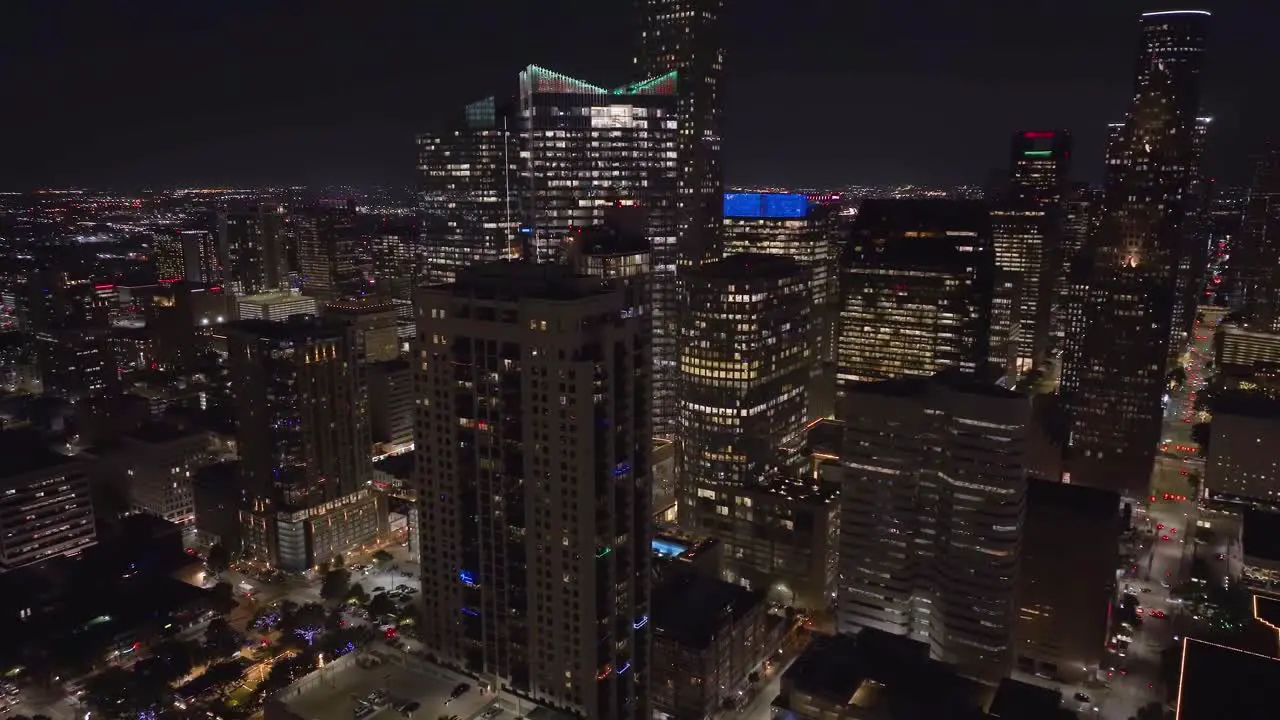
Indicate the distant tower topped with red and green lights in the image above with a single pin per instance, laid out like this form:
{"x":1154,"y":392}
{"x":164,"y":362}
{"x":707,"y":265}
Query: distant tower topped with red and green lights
{"x":1027,"y":230}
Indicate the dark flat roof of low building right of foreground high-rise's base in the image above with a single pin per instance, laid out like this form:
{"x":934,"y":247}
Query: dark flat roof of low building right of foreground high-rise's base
{"x":691,"y":609}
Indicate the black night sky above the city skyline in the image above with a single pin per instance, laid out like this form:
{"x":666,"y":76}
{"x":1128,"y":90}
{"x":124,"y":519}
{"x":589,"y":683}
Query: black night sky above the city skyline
{"x":819,"y":92}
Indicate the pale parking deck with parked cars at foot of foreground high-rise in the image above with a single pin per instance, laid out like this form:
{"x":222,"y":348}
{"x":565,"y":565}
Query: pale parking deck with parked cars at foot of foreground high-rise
{"x":337,"y":695}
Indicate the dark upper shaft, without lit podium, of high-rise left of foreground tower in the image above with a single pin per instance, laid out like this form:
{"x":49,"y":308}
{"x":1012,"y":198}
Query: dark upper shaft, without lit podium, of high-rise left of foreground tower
{"x":300,"y":444}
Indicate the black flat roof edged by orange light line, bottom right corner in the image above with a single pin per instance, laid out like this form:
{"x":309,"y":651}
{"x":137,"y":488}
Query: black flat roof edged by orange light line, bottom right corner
{"x":1218,"y":682}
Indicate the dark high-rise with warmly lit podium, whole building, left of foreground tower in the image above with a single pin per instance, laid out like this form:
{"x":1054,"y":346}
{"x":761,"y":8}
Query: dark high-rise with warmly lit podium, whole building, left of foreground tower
{"x":305,"y":454}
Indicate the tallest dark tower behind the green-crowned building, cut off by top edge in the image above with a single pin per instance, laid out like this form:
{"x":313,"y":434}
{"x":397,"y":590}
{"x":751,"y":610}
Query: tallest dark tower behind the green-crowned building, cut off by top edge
{"x":685,"y":37}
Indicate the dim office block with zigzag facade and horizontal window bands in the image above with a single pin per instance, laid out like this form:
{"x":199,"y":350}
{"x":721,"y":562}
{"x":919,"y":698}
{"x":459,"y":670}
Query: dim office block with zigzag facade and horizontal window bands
{"x":932,"y":514}
